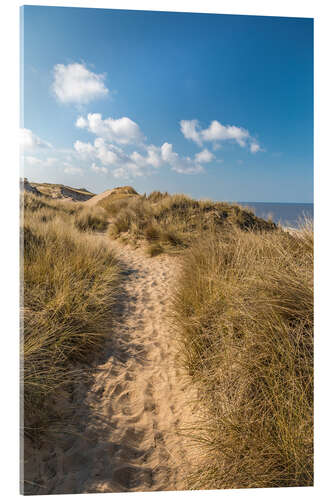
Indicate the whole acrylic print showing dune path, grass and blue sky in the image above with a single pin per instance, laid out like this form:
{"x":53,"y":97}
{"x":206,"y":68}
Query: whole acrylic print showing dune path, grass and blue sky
{"x":168,"y":318}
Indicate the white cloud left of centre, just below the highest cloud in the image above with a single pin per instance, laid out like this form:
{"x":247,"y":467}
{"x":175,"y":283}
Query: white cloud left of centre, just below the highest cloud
{"x":122,"y":130}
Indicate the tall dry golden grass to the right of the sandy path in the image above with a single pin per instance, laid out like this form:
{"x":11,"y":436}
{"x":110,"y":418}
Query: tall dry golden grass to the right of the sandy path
{"x":244,"y":307}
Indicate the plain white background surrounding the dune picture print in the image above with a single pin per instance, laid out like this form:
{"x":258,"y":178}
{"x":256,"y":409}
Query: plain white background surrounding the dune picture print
{"x":322,"y":11}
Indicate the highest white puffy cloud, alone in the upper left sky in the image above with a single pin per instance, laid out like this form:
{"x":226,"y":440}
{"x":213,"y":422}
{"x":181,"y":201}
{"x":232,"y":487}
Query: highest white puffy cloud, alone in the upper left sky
{"x":74,"y":83}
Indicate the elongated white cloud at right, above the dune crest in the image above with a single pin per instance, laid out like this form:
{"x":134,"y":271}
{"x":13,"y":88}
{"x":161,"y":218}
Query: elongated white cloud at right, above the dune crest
{"x":216,"y":132}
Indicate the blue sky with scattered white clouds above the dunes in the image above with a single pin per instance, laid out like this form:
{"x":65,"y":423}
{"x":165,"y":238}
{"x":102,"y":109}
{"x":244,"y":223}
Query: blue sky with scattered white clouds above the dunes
{"x":214,"y":106}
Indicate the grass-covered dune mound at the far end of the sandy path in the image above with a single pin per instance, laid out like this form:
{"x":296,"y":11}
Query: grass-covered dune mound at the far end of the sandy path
{"x":173,"y":222}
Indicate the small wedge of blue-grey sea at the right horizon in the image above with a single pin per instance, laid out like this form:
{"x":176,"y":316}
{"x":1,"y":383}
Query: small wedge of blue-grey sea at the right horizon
{"x":287,"y":214}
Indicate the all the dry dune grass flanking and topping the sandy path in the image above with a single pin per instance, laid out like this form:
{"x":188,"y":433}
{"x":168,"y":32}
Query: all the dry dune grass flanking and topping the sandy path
{"x":243,"y":308}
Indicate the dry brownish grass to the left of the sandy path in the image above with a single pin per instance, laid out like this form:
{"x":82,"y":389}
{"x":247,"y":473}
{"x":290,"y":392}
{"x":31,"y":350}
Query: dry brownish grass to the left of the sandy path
{"x":70,"y":284}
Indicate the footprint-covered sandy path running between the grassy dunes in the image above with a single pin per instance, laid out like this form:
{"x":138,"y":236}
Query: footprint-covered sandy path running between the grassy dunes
{"x":133,"y":416}
